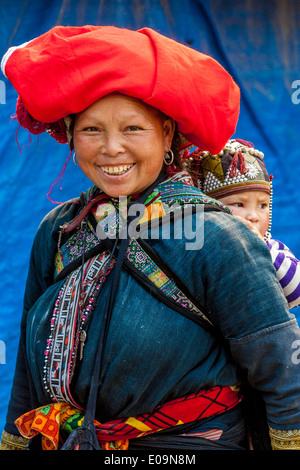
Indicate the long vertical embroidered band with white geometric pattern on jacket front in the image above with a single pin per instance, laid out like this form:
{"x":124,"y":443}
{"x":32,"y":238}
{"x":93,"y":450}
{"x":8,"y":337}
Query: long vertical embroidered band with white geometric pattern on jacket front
{"x":72,"y":310}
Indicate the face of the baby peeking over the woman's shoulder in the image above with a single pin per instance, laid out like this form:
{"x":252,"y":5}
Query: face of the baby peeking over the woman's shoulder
{"x":252,"y":206}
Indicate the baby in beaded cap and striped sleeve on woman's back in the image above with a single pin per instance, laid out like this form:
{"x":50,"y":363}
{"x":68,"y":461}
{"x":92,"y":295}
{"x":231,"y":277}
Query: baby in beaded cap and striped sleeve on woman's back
{"x":238,"y":177}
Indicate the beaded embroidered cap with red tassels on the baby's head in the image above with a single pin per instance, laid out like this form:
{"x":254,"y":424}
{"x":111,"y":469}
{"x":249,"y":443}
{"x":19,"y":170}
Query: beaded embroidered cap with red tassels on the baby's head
{"x":237,"y":167}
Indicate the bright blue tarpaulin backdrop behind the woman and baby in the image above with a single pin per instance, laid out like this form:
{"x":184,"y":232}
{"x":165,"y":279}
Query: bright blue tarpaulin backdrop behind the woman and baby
{"x":257,"y":42}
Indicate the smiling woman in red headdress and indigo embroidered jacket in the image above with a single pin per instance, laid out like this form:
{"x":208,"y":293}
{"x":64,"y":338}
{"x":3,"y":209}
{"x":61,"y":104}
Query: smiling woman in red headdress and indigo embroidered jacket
{"x":132,"y":338}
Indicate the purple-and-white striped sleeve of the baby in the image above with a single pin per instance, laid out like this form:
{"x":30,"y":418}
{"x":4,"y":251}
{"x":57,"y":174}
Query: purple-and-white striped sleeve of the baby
{"x":288,"y":271}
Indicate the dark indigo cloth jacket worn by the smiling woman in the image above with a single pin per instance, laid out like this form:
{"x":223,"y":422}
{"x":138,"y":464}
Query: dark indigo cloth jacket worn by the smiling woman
{"x":154,"y":354}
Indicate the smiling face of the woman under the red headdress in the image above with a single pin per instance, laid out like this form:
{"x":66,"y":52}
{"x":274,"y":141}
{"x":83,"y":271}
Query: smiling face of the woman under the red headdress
{"x":120,"y":144}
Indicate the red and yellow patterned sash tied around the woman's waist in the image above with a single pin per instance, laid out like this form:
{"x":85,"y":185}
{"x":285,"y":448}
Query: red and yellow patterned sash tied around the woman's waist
{"x":49,"y":419}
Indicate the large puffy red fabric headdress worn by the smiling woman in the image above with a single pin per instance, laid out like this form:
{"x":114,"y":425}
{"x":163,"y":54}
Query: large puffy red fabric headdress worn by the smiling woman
{"x":67,"y":69}
